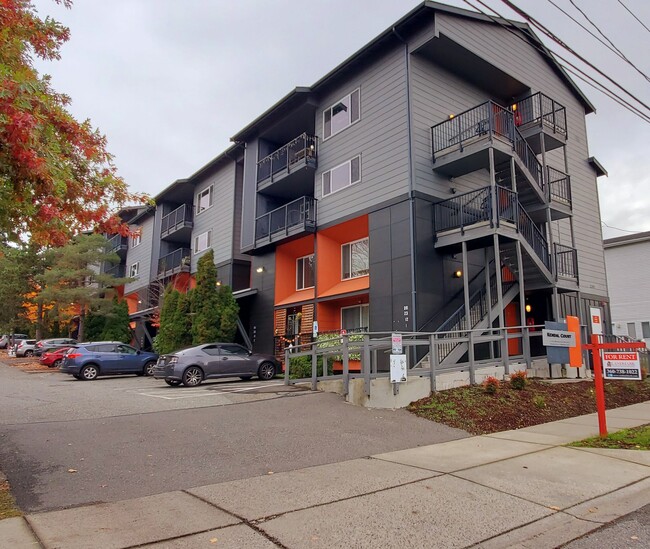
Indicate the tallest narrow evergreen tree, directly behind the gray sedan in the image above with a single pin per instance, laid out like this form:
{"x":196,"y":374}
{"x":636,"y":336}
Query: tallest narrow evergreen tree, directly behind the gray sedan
{"x":206,"y":318}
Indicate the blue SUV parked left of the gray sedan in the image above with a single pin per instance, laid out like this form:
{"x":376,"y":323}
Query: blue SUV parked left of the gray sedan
{"x":89,"y":360}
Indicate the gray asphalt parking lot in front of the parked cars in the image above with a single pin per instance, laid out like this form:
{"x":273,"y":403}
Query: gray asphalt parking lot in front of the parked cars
{"x":65,"y":442}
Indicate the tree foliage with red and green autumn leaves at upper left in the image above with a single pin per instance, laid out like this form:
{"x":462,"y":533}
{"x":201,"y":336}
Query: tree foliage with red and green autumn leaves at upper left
{"x":56,"y":176}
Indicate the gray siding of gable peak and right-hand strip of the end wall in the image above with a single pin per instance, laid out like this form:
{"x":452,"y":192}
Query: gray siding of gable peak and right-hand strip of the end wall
{"x":524,"y":62}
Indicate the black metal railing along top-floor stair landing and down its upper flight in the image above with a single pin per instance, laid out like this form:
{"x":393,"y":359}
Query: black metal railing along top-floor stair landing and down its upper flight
{"x":485,"y":121}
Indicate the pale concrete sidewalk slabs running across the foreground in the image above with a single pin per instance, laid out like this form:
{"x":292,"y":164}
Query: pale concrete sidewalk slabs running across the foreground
{"x":513,"y":489}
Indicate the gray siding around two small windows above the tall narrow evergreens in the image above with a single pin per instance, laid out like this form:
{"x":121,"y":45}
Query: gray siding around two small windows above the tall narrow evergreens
{"x":220,"y":218}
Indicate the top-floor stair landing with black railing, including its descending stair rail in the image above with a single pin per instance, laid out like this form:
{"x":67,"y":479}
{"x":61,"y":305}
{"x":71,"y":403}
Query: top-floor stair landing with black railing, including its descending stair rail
{"x":461,"y":144}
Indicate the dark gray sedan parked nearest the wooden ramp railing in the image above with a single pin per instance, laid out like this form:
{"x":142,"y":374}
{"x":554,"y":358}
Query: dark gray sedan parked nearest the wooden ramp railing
{"x":212,"y":360}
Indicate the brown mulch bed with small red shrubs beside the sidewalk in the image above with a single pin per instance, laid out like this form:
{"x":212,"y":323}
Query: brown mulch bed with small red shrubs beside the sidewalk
{"x":475,"y":411}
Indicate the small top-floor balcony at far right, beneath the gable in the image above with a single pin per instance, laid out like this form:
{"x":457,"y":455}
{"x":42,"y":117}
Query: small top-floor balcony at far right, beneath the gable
{"x":539,"y":113}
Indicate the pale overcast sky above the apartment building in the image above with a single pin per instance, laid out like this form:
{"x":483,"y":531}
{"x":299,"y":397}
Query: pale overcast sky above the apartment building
{"x":169,"y":82}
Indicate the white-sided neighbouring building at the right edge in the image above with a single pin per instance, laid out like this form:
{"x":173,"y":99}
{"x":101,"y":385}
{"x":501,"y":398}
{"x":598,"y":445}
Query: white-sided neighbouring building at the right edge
{"x":629,"y":285}
